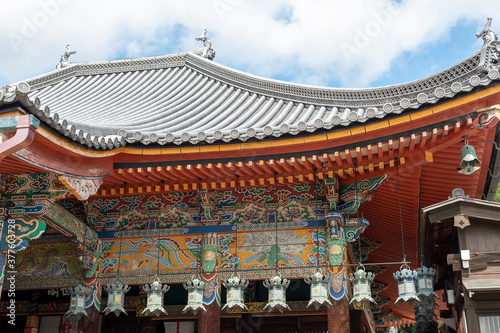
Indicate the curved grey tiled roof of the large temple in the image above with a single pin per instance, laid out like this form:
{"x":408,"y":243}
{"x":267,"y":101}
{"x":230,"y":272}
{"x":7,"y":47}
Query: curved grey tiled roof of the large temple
{"x":185,"y":98}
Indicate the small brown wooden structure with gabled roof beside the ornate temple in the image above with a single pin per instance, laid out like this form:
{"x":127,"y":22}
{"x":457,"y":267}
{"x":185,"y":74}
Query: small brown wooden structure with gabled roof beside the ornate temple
{"x":462,"y":241}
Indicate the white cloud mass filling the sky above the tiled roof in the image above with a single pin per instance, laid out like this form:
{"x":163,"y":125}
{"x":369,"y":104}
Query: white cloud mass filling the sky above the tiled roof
{"x":314,"y":42}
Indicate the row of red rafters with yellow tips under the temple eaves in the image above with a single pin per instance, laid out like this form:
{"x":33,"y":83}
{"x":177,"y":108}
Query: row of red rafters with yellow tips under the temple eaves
{"x":293,"y":170}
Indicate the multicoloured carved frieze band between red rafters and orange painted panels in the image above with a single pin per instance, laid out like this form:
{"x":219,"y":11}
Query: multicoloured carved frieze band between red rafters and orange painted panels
{"x":178,"y":210}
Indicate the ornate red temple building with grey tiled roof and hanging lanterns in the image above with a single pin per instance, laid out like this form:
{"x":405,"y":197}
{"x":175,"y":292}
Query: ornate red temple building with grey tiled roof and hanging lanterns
{"x":174,"y":194}
